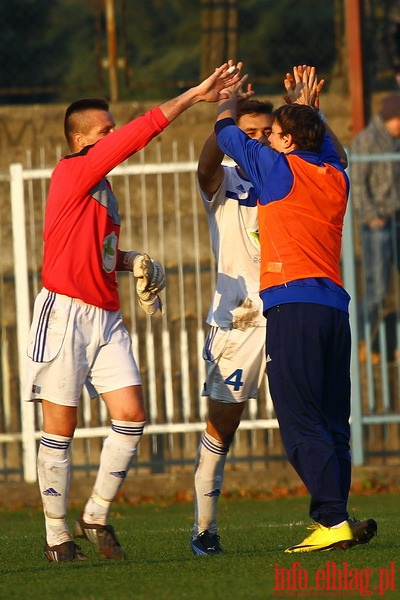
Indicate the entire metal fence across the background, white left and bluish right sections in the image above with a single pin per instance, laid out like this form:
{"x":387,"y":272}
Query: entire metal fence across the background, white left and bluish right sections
{"x":162,"y":214}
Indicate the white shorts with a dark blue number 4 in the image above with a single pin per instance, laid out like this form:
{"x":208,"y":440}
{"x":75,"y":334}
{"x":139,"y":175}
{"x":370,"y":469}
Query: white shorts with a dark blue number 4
{"x":235,"y":363}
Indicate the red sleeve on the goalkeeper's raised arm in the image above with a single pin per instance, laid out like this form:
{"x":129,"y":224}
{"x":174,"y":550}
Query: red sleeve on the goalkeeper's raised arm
{"x":116,"y":147}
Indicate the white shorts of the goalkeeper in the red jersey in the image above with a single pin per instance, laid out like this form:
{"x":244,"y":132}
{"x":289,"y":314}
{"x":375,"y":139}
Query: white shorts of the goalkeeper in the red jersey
{"x":72,"y":344}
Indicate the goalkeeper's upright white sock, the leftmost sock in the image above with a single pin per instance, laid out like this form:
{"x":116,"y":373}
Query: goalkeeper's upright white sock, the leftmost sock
{"x":53,"y":469}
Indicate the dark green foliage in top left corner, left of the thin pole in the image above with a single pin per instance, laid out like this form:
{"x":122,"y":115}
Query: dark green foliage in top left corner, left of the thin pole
{"x":45,"y":46}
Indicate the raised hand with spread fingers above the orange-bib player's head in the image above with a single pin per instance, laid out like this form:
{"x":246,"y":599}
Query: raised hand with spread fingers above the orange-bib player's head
{"x":303,"y":86}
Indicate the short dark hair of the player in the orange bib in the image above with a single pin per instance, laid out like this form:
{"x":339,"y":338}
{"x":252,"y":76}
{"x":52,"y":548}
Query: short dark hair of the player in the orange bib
{"x":304,"y":123}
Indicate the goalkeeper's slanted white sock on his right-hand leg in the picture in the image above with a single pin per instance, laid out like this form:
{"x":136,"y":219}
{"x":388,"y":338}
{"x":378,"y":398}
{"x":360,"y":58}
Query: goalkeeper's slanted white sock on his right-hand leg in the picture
{"x":119,"y":450}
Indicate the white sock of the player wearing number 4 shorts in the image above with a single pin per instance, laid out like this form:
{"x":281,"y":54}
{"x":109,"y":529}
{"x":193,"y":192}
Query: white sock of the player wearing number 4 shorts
{"x":209,"y":475}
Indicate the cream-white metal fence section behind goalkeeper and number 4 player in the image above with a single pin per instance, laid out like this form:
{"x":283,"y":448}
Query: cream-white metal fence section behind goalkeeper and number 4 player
{"x":161,"y":213}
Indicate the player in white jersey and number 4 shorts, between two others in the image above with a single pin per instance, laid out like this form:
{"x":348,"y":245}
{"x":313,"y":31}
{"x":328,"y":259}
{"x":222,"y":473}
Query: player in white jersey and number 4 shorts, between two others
{"x":235,"y":347}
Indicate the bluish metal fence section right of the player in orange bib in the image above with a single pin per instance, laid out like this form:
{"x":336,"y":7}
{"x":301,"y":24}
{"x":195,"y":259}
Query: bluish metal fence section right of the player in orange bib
{"x":376,"y":376}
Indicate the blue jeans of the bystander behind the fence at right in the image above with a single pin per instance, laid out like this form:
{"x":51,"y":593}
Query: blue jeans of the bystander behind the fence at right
{"x":381,"y":248}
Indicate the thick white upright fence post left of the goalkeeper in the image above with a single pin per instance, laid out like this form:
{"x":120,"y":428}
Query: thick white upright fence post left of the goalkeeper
{"x":22,"y":316}
